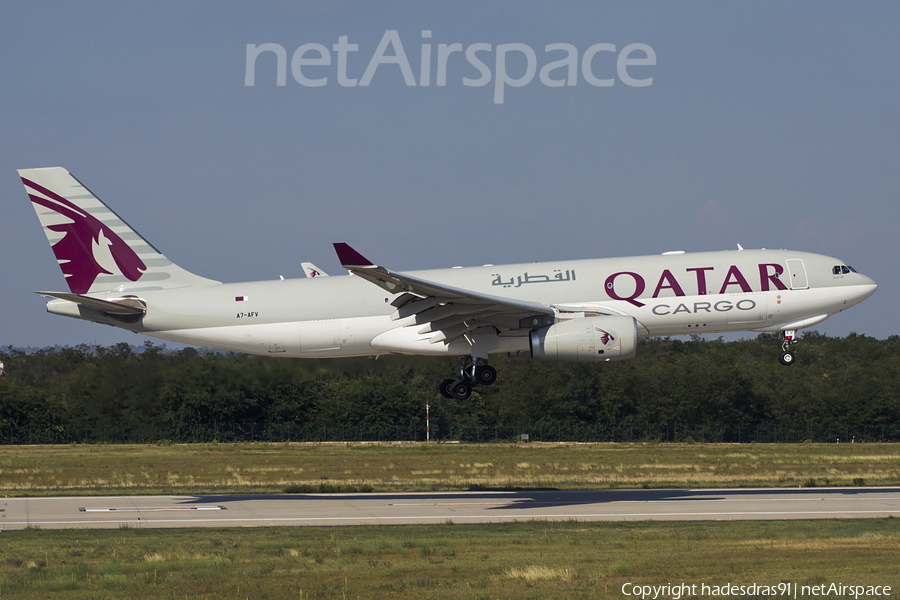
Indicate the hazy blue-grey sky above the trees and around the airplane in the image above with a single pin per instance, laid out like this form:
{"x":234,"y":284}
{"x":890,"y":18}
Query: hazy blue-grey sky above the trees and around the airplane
{"x":767,"y":124}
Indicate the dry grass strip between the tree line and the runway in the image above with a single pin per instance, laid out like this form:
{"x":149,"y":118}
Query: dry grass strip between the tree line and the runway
{"x":265,"y":468}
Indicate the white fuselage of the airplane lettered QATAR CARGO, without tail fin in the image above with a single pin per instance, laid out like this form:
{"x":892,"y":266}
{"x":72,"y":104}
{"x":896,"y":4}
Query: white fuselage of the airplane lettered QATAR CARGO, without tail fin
{"x":673,"y":294}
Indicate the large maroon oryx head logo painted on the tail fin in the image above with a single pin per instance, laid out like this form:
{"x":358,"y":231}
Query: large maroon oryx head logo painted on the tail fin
{"x":88,"y":247}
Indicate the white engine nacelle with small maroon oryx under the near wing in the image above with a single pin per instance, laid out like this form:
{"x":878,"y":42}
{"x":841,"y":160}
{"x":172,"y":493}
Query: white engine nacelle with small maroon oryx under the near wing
{"x":591,"y":339}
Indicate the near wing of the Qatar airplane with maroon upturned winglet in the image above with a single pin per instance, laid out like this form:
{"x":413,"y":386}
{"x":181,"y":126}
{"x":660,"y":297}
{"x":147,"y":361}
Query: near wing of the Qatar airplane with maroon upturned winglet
{"x":450,"y":311}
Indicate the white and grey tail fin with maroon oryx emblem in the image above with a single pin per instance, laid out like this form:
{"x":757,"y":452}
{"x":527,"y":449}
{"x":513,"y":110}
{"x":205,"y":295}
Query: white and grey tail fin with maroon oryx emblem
{"x":96,"y":250}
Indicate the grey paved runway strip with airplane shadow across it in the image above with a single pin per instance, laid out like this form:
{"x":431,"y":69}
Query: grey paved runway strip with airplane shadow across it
{"x":441,"y":507}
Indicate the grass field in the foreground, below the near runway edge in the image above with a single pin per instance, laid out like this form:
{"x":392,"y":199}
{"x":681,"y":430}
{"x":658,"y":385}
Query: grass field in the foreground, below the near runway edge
{"x":521,"y":560}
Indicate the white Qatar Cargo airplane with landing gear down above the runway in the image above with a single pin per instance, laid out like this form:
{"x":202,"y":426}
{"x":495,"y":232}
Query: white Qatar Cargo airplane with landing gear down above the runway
{"x":586,"y":310}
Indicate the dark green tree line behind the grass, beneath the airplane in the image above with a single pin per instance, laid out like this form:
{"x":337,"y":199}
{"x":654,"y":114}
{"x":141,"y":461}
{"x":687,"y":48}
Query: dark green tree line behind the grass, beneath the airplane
{"x":836,"y":381}
